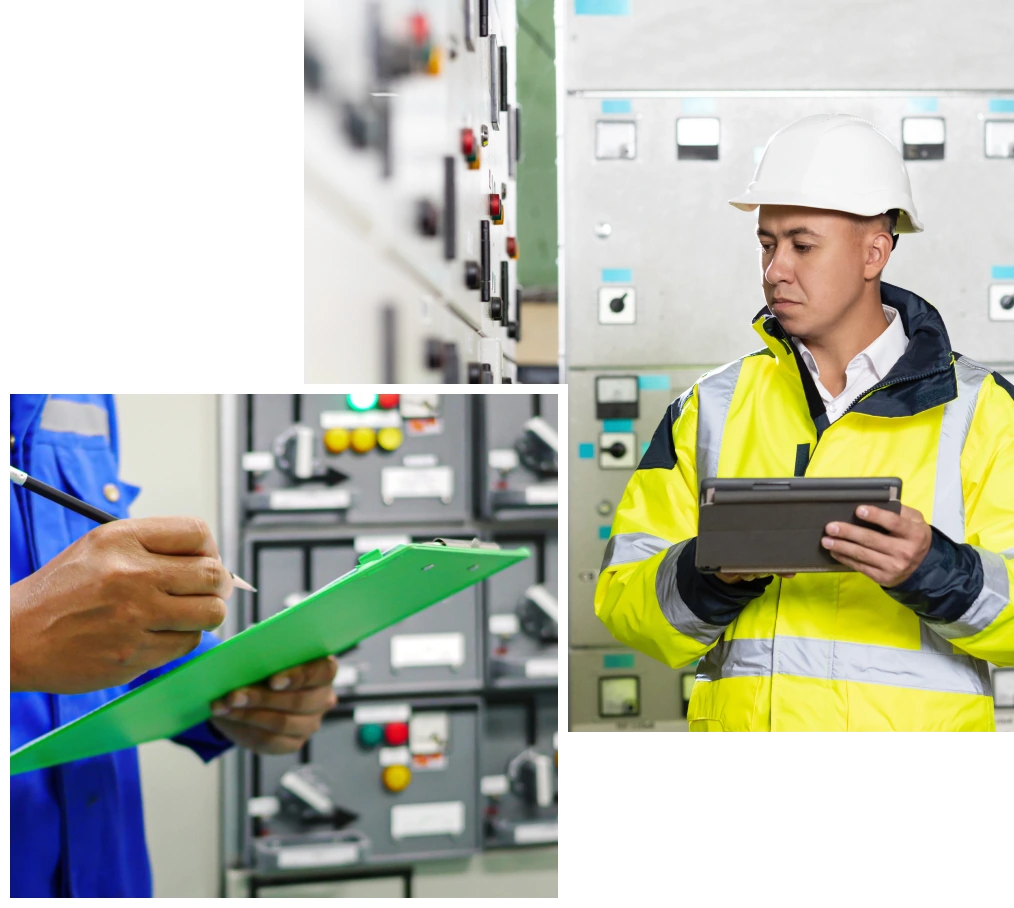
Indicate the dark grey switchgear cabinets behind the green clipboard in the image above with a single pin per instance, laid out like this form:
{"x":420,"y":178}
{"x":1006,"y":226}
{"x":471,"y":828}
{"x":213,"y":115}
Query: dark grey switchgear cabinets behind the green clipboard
{"x":445,"y":740}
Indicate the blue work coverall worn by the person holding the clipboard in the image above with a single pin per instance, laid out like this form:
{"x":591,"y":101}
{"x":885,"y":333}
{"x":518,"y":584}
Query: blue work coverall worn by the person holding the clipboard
{"x":78,"y":829}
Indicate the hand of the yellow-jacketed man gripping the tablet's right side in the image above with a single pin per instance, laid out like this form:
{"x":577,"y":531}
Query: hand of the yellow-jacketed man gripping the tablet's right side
{"x":889,"y":560}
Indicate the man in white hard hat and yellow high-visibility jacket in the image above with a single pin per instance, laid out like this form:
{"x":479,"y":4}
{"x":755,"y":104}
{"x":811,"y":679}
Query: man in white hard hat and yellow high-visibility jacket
{"x":856,"y":378}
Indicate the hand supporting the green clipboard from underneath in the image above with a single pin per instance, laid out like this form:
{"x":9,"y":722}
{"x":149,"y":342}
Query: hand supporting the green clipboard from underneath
{"x":278,"y":716}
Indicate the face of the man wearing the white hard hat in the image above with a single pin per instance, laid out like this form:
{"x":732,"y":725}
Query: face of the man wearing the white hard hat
{"x":815,"y":264}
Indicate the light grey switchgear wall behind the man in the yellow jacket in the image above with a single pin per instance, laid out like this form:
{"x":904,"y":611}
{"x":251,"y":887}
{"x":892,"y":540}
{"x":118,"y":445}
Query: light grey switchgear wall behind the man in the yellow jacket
{"x":660,"y":274}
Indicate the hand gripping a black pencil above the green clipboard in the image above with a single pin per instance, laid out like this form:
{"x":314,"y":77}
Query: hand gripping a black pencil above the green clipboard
{"x":125,"y":598}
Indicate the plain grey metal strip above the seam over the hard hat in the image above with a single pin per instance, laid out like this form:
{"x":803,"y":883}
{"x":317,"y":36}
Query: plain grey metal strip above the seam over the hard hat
{"x":851,"y":44}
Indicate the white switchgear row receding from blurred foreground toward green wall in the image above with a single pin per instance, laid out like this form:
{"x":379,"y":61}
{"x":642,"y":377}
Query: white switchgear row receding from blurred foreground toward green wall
{"x":412,"y":134}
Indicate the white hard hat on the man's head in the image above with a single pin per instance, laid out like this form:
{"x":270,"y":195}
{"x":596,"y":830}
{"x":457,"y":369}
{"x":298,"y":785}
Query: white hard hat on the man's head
{"x":835,"y":162}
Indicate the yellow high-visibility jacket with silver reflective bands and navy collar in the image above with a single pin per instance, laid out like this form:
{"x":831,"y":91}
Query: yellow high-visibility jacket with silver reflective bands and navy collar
{"x":829,"y":652}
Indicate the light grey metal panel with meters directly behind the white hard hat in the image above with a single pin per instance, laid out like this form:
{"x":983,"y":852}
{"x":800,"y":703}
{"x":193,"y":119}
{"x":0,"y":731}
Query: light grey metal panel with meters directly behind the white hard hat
{"x":694,"y":258}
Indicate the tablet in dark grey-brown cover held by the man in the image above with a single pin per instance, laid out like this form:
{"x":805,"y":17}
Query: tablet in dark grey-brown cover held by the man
{"x":775,"y":526}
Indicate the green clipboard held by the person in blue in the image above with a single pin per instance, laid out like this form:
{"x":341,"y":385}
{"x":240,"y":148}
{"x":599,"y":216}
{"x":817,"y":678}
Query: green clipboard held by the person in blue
{"x":380,"y":592}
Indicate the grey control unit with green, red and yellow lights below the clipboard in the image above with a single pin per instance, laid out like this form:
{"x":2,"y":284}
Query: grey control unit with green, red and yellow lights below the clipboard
{"x":385,"y":782}
